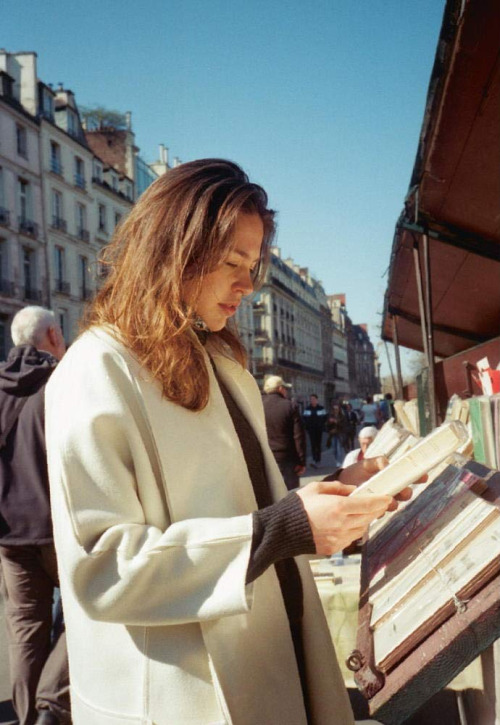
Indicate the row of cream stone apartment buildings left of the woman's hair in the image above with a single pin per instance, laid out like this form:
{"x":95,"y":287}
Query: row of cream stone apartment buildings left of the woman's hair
{"x":53,"y":199}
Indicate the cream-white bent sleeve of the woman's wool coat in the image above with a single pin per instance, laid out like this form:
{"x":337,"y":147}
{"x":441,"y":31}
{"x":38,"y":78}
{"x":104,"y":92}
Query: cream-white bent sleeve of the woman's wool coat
{"x":120,"y":564}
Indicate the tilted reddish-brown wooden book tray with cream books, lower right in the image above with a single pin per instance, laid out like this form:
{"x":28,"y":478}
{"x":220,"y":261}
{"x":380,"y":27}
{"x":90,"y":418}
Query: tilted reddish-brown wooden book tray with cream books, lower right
{"x":430,"y":592}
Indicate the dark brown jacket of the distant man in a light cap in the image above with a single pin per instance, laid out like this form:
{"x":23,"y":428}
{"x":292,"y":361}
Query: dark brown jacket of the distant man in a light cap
{"x":285,"y":431}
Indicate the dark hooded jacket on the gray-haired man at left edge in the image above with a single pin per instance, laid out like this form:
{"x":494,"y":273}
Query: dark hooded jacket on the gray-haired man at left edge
{"x":24,"y":487}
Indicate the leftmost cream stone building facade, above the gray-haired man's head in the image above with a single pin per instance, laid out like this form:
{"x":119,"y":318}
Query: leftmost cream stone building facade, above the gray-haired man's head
{"x":23,"y":244}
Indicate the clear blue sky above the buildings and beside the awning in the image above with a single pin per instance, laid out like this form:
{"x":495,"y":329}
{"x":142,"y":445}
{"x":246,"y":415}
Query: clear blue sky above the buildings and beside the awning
{"x":321,"y":101}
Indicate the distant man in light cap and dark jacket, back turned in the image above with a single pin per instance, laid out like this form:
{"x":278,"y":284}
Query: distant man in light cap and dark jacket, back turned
{"x":285,"y":432}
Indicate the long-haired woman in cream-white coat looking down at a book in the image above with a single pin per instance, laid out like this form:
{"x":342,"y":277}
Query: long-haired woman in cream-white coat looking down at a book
{"x":172,"y":524}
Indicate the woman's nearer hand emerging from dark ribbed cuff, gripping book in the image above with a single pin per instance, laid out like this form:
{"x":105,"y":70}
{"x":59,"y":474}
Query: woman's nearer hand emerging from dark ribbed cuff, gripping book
{"x":336,"y":519}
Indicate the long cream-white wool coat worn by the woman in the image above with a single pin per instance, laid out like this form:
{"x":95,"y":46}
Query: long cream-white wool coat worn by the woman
{"x":152,"y":508}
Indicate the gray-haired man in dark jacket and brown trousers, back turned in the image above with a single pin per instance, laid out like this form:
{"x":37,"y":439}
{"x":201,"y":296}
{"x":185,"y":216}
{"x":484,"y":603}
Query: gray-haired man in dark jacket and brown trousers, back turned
{"x":38,"y":667}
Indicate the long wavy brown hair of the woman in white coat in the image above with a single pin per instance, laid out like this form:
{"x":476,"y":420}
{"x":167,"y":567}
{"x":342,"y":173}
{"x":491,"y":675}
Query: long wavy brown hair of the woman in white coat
{"x":180,"y":229}
